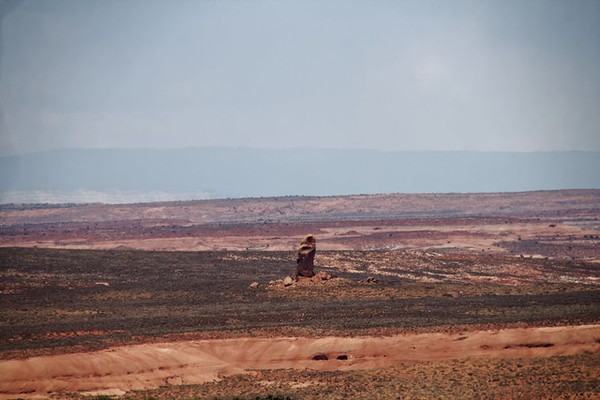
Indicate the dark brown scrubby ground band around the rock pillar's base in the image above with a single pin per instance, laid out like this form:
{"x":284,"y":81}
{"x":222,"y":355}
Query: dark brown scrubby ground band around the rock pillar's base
{"x":64,"y":300}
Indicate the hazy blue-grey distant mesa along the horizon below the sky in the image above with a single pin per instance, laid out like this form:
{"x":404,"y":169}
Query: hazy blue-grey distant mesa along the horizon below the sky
{"x":246,"y":172}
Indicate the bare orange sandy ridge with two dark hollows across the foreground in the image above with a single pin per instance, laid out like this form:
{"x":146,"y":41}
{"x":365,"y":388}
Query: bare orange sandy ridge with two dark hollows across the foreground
{"x":121,"y":369}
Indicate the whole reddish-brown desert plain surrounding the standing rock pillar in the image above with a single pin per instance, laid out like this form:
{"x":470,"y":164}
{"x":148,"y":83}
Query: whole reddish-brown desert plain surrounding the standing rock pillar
{"x":435,"y":296}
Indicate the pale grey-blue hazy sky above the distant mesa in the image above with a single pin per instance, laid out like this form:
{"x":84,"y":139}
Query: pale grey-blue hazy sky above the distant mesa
{"x":503,"y":75}
